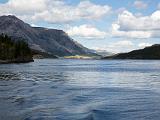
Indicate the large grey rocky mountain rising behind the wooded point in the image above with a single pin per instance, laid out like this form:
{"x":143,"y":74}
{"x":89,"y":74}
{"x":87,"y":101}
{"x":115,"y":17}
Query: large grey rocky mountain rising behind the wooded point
{"x":51,"y":41}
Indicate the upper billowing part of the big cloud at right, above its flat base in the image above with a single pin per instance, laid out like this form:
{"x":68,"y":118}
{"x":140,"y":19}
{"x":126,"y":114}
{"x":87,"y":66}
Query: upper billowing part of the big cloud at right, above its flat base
{"x":128,"y":21}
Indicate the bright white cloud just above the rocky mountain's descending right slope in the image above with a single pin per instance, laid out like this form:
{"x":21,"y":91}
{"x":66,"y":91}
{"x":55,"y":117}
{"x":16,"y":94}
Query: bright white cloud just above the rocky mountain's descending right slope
{"x":86,"y":31}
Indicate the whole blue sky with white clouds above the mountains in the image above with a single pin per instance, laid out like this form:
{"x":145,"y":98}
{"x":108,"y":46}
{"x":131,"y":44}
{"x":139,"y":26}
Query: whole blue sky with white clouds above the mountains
{"x":111,"y":25}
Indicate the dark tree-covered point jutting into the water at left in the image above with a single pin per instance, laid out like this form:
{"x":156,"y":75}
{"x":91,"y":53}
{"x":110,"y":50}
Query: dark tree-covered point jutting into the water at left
{"x":16,"y":51}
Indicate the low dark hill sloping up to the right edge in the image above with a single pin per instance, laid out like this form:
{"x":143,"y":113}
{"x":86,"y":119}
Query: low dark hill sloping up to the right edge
{"x":152,"y":52}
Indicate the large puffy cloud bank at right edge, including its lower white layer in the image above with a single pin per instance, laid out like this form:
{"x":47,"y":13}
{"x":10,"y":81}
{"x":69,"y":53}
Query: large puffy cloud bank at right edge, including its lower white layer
{"x":132,"y":26}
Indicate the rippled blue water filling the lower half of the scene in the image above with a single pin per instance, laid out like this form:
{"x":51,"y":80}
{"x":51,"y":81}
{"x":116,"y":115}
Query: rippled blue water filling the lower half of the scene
{"x":80,"y":90}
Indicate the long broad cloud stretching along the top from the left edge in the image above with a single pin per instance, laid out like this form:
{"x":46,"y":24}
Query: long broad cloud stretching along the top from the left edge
{"x":53,"y":11}
